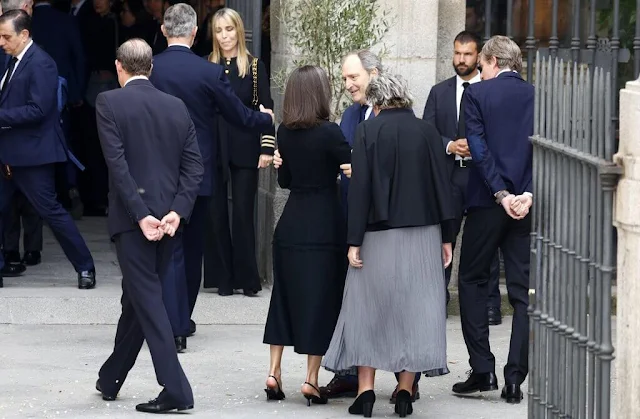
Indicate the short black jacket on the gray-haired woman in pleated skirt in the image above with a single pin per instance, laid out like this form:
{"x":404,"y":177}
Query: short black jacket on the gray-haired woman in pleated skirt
{"x":399,"y":177}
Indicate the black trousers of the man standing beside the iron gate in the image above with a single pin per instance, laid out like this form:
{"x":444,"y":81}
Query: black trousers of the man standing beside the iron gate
{"x":486,"y":231}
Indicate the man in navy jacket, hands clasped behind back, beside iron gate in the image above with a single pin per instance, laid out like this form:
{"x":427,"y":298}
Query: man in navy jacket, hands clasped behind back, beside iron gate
{"x":499,"y":121}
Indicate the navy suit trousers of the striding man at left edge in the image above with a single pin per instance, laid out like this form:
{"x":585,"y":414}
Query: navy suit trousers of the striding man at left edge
{"x":37,"y":183}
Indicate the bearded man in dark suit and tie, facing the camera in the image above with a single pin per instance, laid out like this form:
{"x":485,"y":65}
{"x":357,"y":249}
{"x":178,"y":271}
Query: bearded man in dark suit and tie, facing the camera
{"x":442,"y":110}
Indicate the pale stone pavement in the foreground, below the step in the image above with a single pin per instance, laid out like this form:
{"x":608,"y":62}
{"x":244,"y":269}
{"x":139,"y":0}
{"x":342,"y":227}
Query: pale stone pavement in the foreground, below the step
{"x":49,"y":371}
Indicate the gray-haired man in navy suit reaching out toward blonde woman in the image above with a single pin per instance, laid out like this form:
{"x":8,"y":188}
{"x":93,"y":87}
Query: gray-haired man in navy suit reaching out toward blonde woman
{"x":207,"y":93}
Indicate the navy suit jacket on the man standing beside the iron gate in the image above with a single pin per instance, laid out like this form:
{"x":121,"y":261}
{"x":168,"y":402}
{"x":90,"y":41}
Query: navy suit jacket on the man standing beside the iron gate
{"x":499,"y":121}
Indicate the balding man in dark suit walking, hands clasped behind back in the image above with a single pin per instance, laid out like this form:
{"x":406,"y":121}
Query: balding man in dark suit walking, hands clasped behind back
{"x":155,"y":169}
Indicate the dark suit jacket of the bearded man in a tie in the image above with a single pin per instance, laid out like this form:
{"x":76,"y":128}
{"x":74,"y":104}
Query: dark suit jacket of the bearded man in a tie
{"x":441,"y":112}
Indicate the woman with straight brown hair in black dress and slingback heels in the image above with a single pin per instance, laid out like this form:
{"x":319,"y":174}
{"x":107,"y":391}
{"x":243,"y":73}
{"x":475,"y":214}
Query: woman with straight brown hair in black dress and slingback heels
{"x":309,"y":243}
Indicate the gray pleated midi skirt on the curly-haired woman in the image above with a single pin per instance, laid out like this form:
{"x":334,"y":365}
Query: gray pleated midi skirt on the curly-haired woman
{"x":393,"y":315}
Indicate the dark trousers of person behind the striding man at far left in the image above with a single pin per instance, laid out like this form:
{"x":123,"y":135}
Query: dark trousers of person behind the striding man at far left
{"x":21,"y":215}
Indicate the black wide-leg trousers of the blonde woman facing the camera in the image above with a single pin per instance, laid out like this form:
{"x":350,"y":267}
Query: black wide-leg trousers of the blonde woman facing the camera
{"x":230,"y":261}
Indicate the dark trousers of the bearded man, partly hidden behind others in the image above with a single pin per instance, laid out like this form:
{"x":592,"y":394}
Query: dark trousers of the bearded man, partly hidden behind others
{"x":459,"y":180}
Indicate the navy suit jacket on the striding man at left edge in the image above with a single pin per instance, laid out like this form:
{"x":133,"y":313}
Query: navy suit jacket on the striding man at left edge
{"x":30,"y":131}
